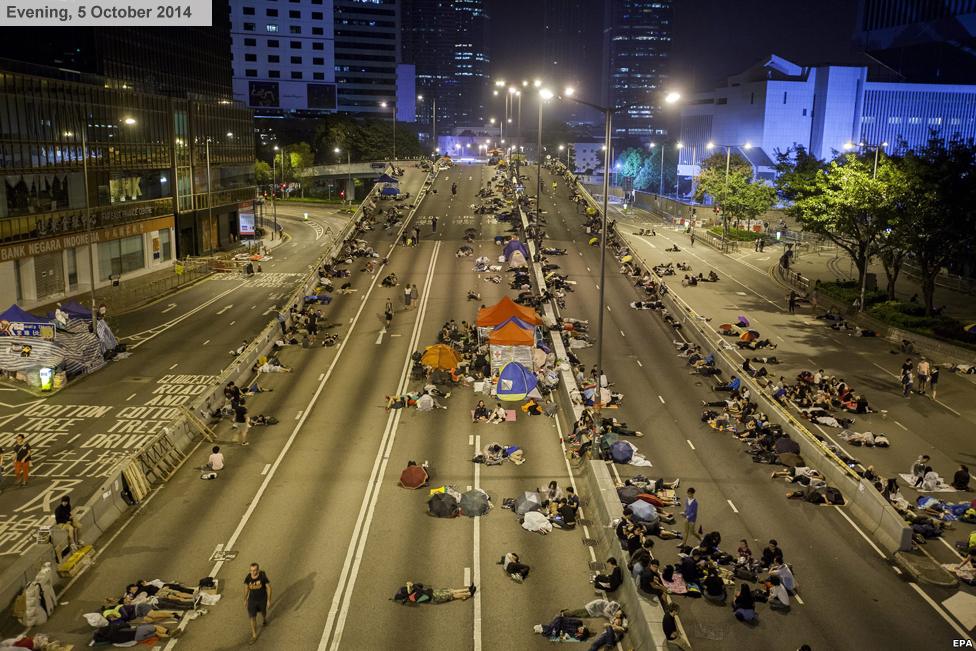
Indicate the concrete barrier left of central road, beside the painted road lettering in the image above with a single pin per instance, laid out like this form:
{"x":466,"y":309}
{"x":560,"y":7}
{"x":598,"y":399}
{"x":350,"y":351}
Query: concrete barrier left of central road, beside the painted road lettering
{"x":129,"y":482}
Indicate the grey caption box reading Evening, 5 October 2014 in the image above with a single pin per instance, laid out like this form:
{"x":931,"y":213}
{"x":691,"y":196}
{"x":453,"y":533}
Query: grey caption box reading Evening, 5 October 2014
{"x":106,"y":13}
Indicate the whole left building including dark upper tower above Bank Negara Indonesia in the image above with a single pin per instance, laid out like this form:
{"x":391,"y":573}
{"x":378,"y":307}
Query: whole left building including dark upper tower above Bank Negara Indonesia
{"x":122,"y":150}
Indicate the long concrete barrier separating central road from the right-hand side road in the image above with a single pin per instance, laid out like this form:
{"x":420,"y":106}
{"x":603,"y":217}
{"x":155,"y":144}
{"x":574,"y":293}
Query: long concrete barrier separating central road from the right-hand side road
{"x":871,"y":509}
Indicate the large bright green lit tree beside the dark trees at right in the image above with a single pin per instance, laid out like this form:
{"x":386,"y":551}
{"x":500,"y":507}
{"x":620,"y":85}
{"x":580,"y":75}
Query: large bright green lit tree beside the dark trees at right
{"x":849,"y":205}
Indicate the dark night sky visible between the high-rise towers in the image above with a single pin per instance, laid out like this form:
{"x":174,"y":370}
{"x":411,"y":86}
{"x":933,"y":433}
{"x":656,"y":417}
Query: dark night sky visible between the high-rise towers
{"x":712,"y":38}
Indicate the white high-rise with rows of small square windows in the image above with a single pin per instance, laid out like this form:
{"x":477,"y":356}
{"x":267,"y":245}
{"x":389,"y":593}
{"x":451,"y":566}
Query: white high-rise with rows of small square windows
{"x":284,"y":56}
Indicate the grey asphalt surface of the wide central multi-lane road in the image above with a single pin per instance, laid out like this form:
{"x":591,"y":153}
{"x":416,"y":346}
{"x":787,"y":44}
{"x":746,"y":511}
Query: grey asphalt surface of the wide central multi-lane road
{"x":315,"y":501}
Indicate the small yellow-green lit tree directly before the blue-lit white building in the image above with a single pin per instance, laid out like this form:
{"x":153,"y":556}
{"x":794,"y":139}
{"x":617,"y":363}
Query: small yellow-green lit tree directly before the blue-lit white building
{"x":736,"y":194}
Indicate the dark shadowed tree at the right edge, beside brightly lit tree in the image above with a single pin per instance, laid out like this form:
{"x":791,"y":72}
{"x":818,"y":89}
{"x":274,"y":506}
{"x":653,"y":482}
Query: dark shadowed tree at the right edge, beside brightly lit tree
{"x":937,"y":188}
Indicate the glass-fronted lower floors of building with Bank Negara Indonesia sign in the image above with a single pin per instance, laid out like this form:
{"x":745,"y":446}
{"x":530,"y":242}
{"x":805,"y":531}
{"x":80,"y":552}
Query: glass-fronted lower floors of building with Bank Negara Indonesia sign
{"x":104,"y":179}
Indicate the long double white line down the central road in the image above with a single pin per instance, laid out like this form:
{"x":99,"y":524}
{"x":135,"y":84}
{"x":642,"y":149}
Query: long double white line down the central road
{"x":342,"y":598}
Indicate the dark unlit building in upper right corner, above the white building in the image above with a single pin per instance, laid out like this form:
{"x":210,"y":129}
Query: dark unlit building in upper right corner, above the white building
{"x":926,"y":41}
